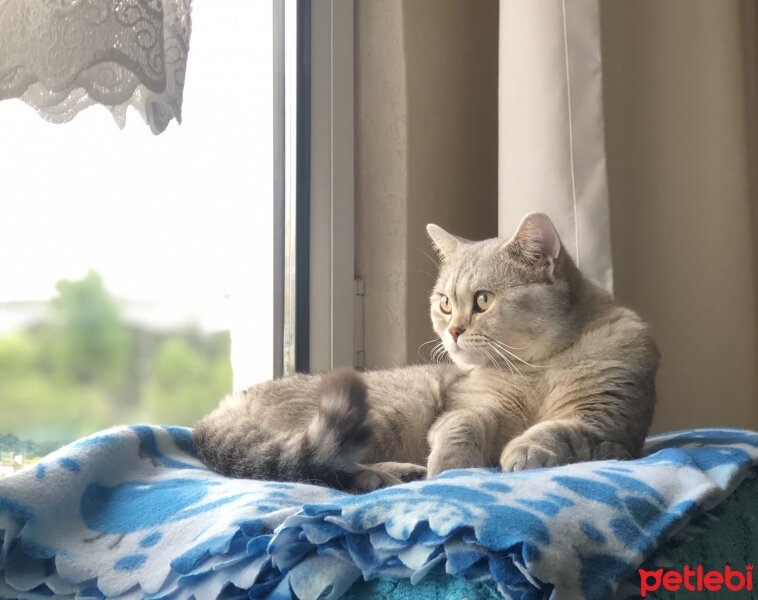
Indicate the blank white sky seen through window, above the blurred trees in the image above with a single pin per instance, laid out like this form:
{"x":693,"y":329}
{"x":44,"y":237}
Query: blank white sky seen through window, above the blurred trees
{"x":186,"y":215}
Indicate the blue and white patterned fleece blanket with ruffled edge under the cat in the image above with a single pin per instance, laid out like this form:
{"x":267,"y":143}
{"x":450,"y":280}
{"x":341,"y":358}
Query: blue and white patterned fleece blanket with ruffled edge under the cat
{"x":130,"y":513}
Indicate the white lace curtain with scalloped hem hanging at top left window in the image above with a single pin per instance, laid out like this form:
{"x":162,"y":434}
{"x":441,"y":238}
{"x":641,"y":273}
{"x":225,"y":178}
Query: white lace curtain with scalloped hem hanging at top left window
{"x":61,"y":56}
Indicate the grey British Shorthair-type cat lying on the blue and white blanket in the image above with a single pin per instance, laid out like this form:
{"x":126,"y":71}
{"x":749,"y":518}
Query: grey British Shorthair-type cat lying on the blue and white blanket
{"x":546,"y":370}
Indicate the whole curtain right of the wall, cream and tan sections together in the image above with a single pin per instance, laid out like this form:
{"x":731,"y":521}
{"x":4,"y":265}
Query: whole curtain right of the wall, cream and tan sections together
{"x":676,"y":119}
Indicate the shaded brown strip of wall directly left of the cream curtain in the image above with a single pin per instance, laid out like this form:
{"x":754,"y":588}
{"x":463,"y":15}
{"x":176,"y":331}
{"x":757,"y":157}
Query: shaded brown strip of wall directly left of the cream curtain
{"x":451,"y":62}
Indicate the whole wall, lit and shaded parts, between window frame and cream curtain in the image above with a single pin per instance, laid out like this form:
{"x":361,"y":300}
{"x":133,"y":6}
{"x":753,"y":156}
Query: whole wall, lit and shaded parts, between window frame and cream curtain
{"x":426,"y":151}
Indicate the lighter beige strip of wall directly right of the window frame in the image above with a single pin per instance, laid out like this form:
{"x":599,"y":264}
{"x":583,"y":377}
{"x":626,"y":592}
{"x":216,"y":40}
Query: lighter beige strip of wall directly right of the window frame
{"x":381,"y":173}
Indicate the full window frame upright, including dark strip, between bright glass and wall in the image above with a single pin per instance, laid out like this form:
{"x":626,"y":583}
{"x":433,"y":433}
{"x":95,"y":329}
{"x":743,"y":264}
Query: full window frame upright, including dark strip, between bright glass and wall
{"x":315,"y":199}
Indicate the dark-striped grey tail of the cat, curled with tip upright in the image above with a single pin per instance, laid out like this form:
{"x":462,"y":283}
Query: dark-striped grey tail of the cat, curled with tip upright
{"x":326,"y":452}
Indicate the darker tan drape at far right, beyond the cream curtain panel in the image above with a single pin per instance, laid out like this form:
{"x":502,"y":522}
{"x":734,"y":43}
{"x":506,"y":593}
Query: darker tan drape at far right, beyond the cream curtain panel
{"x":682,"y":208}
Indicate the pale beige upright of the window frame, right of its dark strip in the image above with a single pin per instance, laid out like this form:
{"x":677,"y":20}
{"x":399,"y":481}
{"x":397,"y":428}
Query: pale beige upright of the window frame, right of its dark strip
{"x":332,"y":268}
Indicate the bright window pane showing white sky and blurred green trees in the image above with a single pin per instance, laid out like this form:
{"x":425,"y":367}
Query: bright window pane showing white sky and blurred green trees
{"x":136,"y":271}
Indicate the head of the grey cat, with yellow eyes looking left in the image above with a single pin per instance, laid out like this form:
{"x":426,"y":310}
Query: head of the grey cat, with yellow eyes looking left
{"x":498,"y":299}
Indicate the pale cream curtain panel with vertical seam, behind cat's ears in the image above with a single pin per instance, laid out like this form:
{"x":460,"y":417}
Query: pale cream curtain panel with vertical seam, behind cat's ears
{"x":551,"y":147}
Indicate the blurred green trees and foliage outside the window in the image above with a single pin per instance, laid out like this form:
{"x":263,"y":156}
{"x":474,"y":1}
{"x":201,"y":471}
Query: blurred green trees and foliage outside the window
{"x":86,"y":370}
